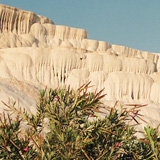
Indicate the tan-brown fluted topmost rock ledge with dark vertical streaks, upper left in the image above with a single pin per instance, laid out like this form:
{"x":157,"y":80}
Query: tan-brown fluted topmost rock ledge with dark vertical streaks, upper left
{"x":18,"y":21}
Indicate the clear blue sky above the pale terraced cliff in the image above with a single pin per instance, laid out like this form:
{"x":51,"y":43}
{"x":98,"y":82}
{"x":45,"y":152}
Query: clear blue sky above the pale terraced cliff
{"x":132,"y":23}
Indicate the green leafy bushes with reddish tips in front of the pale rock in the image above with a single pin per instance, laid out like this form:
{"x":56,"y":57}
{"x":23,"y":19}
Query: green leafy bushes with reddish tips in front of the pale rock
{"x":70,"y":133}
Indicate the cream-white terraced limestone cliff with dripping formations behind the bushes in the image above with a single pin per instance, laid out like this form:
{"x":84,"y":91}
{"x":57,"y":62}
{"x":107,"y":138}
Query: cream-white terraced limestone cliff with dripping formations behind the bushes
{"x":34,"y":53}
